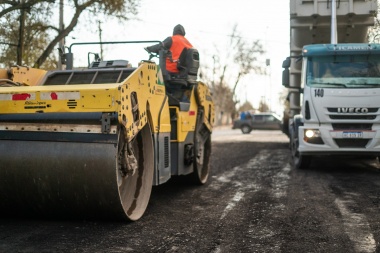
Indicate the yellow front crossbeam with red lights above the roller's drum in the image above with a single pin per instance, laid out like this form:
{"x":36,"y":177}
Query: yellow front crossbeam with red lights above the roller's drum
{"x":62,"y":98}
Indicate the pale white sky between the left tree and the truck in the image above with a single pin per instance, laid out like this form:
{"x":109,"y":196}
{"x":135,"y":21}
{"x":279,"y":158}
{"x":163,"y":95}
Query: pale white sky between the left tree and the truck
{"x":208,"y":24}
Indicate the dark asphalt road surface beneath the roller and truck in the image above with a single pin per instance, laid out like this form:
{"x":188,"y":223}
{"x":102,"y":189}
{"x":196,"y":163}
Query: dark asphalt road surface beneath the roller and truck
{"x":254,"y":202}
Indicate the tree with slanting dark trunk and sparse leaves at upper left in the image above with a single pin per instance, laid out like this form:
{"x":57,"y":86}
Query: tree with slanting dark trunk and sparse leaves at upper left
{"x":37,"y":23}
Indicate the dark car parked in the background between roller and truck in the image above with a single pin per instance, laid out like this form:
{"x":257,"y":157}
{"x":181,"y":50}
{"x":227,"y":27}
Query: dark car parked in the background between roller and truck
{"x":265,"y":121}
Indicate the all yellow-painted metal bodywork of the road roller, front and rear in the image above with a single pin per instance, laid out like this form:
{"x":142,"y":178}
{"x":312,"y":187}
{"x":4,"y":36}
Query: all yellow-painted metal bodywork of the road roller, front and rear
{"x":138,"y":100}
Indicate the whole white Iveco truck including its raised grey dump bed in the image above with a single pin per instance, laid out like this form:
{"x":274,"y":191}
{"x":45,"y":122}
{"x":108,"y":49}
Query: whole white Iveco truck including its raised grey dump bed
{"x":334,"y":89}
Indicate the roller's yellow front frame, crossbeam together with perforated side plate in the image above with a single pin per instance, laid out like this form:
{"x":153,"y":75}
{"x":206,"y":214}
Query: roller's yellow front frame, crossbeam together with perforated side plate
{"x":131,"y":99}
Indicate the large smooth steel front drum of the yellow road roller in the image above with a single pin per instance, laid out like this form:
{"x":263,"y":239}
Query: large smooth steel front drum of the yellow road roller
{"x":74,"y":175}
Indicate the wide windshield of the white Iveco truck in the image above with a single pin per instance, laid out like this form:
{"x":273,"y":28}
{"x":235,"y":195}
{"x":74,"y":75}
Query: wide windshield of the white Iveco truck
{"x":344,"y":71}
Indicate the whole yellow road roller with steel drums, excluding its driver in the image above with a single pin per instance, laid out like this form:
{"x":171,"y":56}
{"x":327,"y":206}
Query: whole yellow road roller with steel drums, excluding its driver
{"x":91,"y":142}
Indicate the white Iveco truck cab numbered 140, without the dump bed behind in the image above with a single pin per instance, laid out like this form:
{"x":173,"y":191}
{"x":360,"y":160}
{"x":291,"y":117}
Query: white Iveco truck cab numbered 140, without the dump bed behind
{"x":341,"y":100}
